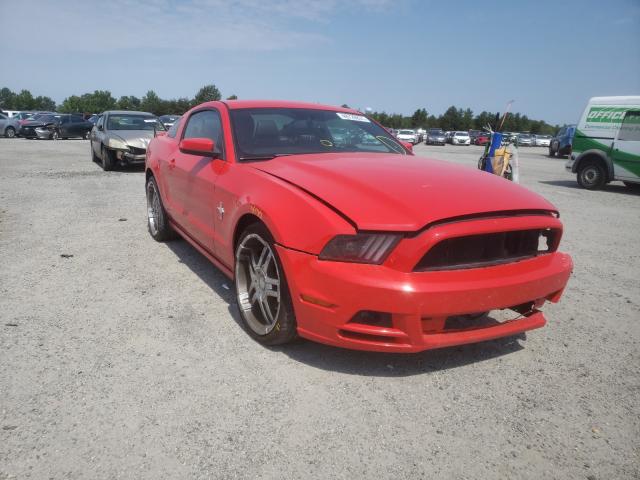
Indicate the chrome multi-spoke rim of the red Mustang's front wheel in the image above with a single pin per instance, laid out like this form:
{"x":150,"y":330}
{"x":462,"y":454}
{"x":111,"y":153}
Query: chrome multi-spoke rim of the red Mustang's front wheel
{"x":258,"y":284}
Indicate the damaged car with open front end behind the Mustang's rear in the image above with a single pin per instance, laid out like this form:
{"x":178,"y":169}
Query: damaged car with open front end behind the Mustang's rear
{"x":122,"y":136}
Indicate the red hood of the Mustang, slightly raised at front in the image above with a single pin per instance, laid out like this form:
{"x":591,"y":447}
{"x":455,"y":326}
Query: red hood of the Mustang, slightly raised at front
{"x":400,"y":192}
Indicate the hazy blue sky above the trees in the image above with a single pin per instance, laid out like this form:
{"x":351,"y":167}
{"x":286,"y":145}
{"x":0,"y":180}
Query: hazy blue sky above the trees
{"x":387,"y":55}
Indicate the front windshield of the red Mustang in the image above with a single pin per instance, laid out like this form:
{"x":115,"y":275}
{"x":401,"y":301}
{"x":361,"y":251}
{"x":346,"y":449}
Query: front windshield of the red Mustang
{"x":269,"y":132}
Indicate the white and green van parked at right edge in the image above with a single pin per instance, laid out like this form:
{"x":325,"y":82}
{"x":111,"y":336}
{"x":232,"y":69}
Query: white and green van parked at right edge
{"x":606,"y":145}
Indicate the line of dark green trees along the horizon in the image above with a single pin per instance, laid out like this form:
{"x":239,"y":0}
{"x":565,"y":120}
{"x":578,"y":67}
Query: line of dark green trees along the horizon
{"x":100,"y":100}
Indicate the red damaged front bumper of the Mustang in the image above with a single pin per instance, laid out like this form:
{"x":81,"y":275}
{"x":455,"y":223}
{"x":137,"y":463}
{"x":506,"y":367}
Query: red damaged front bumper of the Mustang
{"x":327,"y":296}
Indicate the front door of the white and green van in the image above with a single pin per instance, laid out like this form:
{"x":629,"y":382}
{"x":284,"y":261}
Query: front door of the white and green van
{"x":626,"y":148}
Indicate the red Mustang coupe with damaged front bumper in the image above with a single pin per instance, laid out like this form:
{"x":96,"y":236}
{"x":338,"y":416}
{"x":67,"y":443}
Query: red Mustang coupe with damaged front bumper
{"x":334,"y":231}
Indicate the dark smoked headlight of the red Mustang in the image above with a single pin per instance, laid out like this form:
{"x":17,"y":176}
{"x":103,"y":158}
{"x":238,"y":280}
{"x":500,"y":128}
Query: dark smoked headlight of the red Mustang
{"x":360,"y":248}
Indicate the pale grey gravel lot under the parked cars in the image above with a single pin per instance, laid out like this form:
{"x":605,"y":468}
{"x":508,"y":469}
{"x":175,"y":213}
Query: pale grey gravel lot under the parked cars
{"x":126,"y":359}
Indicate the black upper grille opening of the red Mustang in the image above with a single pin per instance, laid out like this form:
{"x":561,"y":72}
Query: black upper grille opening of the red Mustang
{"x":475,"y":251}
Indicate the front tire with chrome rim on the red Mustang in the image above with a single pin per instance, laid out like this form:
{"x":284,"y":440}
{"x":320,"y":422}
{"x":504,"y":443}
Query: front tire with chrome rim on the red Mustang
{"x":262,"y":294}
